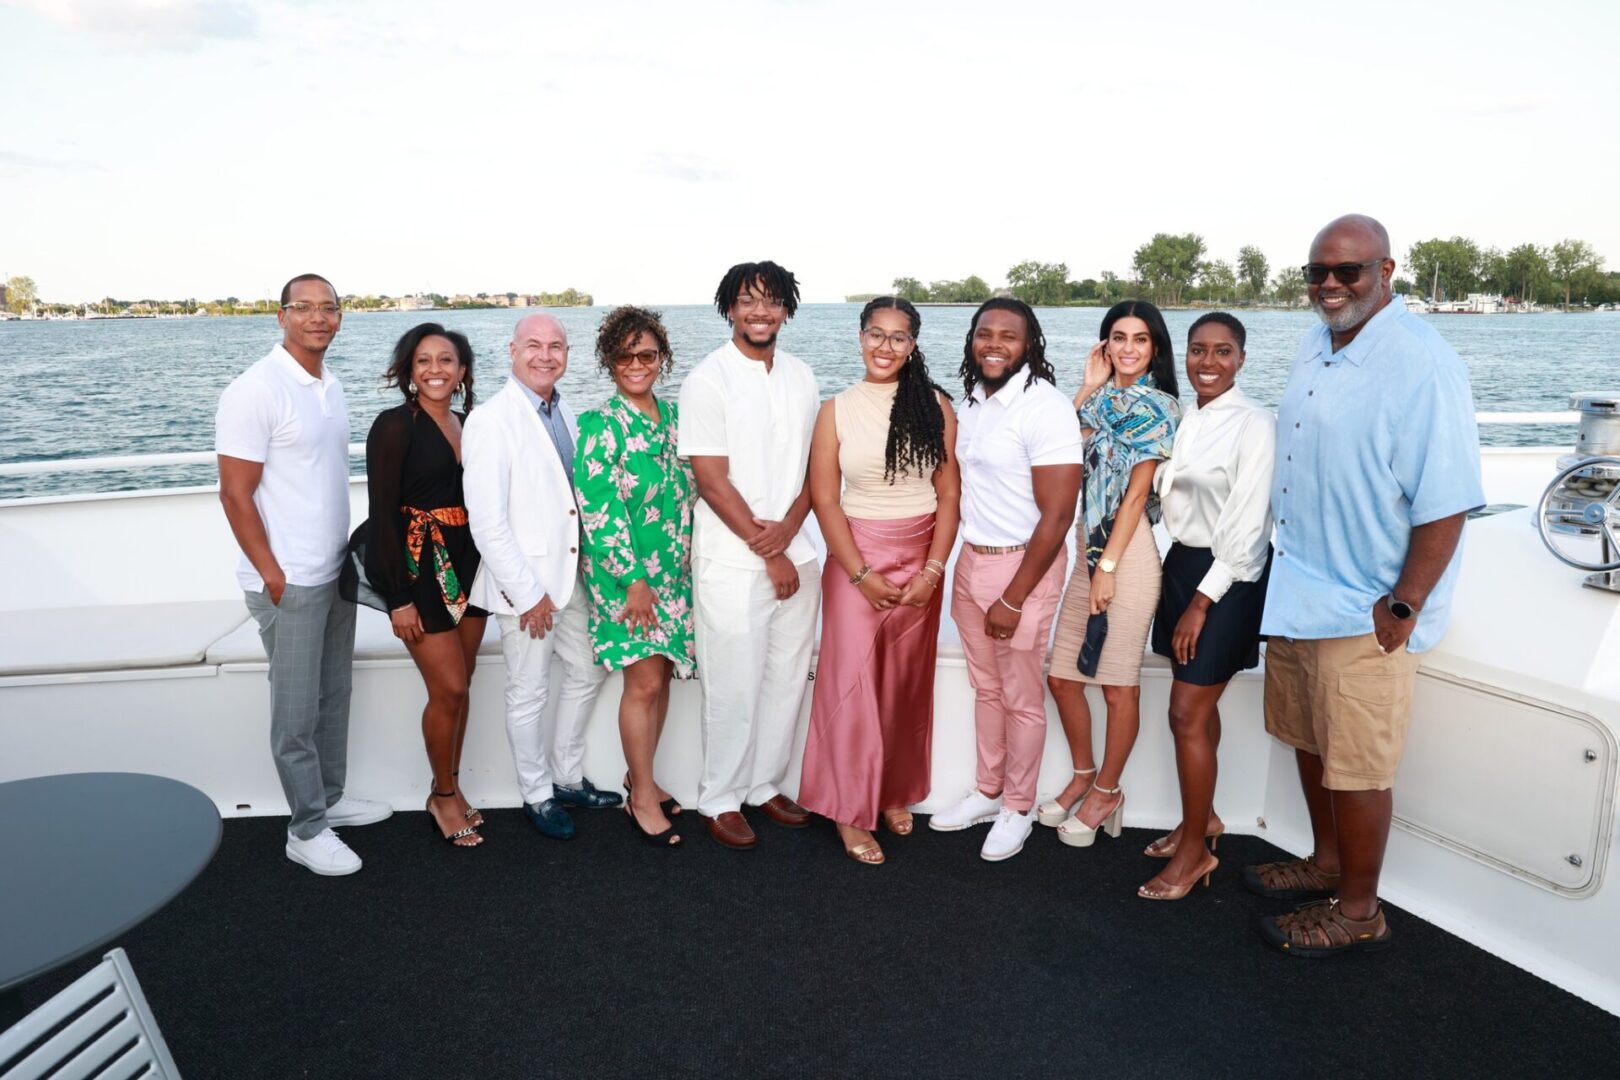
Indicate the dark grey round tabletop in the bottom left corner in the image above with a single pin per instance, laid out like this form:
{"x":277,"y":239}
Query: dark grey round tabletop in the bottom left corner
{"x":90,"y":856}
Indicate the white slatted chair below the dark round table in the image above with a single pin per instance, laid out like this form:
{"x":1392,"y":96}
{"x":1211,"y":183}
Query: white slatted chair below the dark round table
{"x":100,"y":1026}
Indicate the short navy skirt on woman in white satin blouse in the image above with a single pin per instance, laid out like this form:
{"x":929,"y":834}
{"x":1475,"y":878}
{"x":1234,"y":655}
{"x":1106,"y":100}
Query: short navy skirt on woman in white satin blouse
{"x":1232,"y":629}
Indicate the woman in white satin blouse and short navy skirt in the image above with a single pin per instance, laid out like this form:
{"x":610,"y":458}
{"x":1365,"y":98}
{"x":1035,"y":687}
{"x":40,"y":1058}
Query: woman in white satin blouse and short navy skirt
{"x":1216,"y":501}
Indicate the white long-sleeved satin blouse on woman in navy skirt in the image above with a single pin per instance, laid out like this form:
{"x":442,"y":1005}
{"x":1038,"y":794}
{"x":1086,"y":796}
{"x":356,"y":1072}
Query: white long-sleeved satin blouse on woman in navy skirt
{"x":1216,"y":490}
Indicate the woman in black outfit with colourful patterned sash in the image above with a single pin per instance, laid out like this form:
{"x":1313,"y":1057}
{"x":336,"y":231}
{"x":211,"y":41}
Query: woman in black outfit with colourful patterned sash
{"x":422,"y":558}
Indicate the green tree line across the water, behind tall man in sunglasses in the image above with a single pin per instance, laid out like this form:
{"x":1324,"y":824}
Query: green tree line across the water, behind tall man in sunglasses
{"x":1172,"y":270}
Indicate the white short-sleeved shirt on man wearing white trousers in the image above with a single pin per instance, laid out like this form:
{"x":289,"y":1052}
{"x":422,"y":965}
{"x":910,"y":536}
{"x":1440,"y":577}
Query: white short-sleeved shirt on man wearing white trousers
{"x":762,"y":423}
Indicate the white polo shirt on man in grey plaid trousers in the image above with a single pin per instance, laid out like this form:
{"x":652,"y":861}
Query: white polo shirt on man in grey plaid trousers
{"x":296,"y":425}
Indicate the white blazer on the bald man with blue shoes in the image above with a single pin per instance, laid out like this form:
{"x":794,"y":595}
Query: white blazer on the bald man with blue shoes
{"x":519,"y":506}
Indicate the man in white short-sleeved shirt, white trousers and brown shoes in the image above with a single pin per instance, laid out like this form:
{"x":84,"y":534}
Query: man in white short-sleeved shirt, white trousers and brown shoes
{"x":746,"y":420}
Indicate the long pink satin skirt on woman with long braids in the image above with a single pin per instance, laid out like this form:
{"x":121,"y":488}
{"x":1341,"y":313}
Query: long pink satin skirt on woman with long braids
{"x":872,"y":715}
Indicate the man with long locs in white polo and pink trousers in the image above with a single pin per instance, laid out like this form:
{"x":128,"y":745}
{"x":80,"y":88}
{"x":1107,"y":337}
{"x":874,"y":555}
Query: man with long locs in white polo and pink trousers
{"x":1018,"y":443}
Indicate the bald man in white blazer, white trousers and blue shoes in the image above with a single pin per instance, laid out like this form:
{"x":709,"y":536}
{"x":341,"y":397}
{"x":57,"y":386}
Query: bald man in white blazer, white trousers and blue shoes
{"x":518,"y":453}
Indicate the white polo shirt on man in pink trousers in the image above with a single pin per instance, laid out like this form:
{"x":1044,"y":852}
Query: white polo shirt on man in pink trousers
{"x":999,"y":441}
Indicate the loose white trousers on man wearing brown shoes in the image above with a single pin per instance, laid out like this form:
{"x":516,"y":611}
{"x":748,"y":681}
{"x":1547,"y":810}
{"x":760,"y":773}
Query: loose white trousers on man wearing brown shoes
{"x":754,"y":660}
